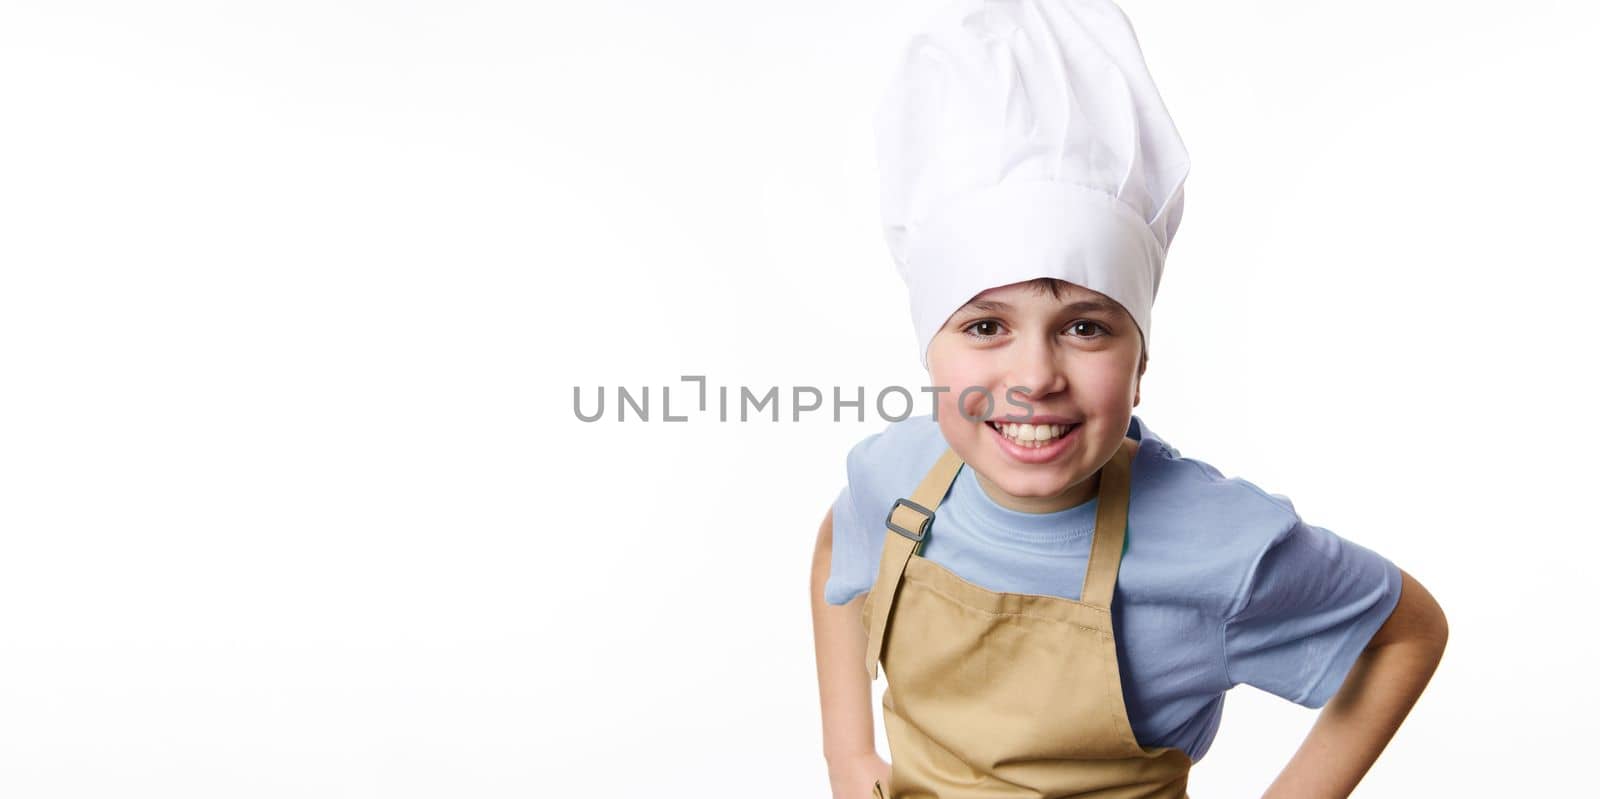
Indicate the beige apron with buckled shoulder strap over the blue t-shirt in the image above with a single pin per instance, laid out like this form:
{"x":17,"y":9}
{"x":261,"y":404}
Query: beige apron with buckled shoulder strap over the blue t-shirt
{"x":996,"y":696}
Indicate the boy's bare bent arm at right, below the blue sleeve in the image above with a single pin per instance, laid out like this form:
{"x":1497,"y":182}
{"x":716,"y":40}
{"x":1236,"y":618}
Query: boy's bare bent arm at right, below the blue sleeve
{"x":1372,"y":702}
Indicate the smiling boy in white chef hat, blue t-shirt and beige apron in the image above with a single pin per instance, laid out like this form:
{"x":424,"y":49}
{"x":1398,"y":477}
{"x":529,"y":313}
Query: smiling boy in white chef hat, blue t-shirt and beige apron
{"x":1031,"y":188}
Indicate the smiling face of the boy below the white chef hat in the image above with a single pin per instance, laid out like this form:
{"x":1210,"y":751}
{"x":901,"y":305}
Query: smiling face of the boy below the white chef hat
{"x":1081,"y":359}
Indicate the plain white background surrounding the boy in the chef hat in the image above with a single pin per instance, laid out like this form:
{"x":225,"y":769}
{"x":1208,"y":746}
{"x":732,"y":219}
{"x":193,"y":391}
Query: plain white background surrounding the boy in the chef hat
{"x":294,"y":299}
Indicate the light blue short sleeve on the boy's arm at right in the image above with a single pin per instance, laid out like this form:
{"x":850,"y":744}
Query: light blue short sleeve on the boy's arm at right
{"x":1310,"y":608}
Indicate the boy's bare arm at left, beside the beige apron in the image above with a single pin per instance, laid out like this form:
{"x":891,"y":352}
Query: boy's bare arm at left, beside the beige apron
{"x":841,"y":654}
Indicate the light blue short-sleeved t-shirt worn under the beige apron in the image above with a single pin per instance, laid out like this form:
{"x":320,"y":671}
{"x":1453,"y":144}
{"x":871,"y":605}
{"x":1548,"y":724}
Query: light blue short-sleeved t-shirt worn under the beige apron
{"x":1222,"y":584}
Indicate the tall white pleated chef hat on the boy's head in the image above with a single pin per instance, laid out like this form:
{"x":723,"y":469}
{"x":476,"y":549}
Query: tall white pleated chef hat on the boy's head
{"x":1020,"y":140}
